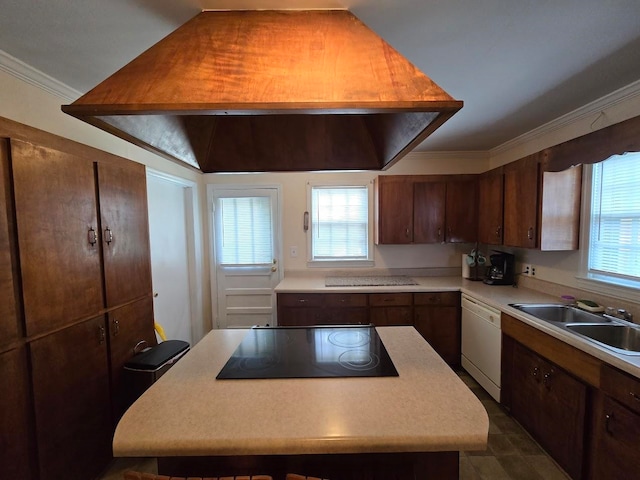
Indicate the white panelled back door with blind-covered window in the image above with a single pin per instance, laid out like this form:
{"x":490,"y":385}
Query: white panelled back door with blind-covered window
{"x":246,"y":251}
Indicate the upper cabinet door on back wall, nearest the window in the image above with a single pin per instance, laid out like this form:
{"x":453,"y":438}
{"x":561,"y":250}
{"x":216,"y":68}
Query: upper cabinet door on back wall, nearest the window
{"x":394,"y":210}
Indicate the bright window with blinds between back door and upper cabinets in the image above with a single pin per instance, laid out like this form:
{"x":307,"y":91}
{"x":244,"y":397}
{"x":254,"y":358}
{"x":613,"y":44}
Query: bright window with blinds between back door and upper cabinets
{"x":339,"y":223}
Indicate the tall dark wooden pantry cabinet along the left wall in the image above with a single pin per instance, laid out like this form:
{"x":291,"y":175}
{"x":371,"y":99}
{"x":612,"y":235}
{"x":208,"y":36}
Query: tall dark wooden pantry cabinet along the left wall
{"x":77,"y":228}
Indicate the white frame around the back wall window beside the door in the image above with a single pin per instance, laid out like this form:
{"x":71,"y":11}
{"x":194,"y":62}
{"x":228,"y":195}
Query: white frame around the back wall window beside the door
{"x":369,"y":261}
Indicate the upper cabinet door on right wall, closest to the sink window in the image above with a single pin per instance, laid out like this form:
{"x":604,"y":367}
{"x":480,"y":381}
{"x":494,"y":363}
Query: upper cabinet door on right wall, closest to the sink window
{"x":521,"y":180}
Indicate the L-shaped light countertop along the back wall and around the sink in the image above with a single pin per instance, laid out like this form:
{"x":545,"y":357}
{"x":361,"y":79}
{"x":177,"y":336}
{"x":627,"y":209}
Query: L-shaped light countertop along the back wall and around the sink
{"x":498,"y":296}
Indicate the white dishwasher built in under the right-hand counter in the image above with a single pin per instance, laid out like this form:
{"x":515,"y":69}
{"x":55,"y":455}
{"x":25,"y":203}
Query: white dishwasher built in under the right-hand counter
{"x":481,"y":343}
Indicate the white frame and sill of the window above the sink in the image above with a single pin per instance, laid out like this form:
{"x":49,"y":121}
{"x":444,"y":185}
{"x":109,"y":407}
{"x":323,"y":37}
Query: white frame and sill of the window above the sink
{"x":597,"y":283}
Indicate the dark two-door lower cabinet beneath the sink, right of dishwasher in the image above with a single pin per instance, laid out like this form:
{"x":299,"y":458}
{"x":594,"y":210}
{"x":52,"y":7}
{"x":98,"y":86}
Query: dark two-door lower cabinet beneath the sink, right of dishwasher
{"x":549,"y":403}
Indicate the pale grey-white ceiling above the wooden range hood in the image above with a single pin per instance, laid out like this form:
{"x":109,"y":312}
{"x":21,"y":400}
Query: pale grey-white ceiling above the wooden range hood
{"x":516,"y":64}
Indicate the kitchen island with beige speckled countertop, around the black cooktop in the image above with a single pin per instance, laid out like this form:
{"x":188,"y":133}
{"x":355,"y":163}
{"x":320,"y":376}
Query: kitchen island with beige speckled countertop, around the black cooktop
{"x":415,"y":423}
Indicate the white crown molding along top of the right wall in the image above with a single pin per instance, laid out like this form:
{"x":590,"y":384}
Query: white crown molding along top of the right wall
{"x":596,"y":107}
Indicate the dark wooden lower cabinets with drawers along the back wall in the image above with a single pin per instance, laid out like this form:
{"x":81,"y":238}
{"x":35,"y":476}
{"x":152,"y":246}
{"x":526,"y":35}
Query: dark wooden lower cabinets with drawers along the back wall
{"x":435,"y":315}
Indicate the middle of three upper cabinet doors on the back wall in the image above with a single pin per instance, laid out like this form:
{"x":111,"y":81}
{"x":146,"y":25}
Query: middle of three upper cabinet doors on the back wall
{"x":429,"y":212}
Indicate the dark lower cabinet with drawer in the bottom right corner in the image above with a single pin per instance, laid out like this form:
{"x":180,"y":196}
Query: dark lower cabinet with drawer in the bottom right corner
{"x":616,"y":427}
